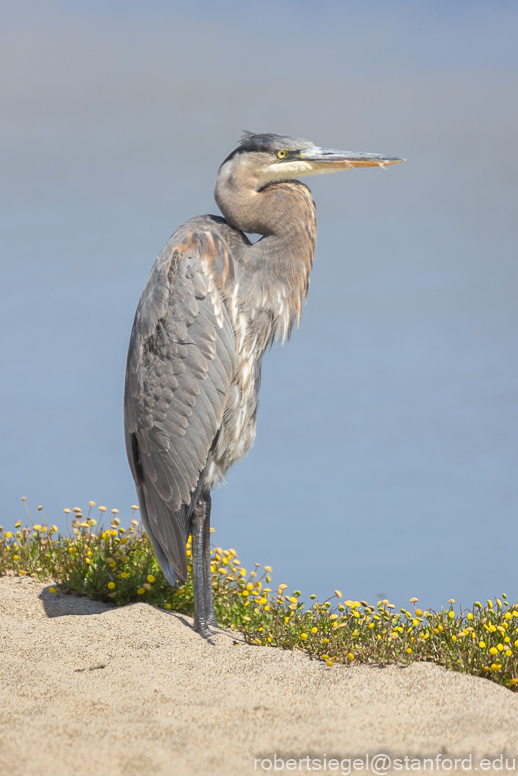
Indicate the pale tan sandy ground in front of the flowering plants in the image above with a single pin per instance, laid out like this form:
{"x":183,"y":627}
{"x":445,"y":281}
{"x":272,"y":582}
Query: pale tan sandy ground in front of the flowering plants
{"x":90,"y":690}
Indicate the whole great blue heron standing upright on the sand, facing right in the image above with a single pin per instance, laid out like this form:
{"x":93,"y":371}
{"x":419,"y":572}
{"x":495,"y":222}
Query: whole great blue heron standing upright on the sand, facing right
{"x":213,"y":303}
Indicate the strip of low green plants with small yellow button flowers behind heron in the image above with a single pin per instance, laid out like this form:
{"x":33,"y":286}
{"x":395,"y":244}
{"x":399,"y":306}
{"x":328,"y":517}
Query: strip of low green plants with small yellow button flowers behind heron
{"x":117,"y":565}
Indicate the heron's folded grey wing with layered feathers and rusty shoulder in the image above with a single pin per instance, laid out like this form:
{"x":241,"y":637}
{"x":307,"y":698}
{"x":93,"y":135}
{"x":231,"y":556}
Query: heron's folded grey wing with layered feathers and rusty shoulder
{"x":180,"y":366}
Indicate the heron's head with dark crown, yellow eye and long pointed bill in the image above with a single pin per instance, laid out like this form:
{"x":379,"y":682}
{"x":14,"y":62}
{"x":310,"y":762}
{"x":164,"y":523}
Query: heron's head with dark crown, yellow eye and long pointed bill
{"x":263,"y":158}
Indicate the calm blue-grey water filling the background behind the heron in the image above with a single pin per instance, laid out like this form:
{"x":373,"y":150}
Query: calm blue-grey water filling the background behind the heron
{"x":386,"y":455}
